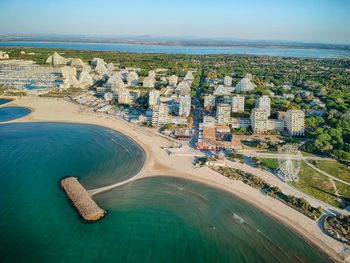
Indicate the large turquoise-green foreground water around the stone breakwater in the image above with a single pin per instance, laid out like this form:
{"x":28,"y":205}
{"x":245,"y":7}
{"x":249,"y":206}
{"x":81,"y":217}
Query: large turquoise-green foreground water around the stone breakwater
{"x":159,"y":219}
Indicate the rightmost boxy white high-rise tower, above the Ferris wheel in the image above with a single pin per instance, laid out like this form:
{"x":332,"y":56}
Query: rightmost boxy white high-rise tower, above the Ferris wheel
{"x":295,"y":122}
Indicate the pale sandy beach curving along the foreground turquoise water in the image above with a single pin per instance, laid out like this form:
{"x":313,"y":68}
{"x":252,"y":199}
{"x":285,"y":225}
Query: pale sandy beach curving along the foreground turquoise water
{"x":159,"y":163}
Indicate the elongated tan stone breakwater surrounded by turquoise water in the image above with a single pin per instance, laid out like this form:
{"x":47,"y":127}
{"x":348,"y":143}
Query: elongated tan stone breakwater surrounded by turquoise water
{"x":81,"y":200}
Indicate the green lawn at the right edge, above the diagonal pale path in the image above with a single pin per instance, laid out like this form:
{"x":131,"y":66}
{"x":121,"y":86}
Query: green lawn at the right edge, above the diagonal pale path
{"x":335,"y":169}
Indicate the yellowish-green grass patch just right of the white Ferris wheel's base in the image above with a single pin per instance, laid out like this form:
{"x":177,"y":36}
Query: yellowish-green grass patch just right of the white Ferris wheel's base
{"x":316,"y":185}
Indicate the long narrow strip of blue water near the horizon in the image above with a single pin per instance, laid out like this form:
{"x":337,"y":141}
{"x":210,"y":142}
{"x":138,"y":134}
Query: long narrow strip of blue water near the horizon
{"x":289,"y":52}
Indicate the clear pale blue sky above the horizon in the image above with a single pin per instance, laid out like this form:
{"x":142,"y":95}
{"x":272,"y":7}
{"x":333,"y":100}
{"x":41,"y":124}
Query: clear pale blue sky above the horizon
{"x":297,"y":20}
